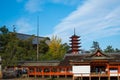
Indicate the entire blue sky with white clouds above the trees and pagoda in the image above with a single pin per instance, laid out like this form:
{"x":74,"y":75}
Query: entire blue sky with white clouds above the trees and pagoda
{"x":94,"y":20}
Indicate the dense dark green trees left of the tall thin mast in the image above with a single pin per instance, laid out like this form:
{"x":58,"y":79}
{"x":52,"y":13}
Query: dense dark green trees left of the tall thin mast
{"x":13,"y":49}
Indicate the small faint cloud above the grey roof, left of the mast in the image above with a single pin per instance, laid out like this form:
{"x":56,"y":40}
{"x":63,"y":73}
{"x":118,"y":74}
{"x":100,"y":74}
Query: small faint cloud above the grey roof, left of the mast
{"x":23,"y":26}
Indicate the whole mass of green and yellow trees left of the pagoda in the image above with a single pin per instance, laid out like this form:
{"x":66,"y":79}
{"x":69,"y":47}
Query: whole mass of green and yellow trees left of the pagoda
{"x":13,"y":49}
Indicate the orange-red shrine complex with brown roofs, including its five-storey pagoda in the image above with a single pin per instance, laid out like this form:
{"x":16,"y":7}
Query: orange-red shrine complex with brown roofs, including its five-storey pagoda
{"x":82,"y":66}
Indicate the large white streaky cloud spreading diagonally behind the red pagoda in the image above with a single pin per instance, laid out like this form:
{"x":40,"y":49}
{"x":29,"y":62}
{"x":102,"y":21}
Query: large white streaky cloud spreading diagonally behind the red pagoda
{"x":93,"y":20}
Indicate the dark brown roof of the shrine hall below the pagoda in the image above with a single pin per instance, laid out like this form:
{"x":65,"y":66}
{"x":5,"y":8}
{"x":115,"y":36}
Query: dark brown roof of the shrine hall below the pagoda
{"x":87,"y":57}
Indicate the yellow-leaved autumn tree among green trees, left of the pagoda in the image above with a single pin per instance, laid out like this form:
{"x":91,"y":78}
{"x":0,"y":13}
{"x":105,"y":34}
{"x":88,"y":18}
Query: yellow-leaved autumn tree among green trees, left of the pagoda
{"x":56,"y":49}
